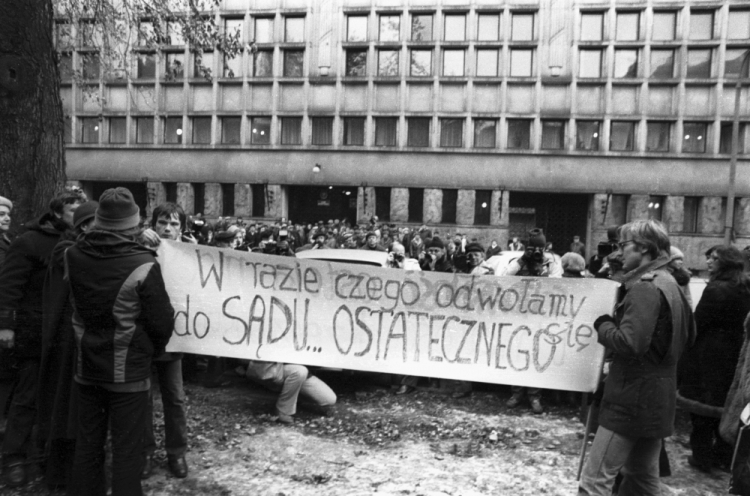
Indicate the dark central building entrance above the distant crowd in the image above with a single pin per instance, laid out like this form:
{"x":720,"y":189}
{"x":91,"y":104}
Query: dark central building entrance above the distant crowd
{"x":314,"y":203}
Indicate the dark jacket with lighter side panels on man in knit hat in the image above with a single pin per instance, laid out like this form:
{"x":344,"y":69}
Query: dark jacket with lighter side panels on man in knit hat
{"x":122,"y":316}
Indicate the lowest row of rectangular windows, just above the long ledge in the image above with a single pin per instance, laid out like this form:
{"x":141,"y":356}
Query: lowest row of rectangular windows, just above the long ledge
{"x":622,"y":134}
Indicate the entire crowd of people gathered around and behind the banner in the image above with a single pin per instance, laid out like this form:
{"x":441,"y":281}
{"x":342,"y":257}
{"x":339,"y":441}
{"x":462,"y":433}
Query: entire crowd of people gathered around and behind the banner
{"x":85,"y":318}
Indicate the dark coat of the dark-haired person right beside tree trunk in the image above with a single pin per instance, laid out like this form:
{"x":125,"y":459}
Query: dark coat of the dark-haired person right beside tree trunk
{"x":22,"y":280}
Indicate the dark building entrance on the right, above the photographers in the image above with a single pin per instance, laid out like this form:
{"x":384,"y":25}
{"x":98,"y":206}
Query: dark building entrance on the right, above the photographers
{"x":561,"y":216}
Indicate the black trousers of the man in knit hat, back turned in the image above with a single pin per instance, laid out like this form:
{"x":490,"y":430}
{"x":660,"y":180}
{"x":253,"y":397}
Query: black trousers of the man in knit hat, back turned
{"x":125,"y":414}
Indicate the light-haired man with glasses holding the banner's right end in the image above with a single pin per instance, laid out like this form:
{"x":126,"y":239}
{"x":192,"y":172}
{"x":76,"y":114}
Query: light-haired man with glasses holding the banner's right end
{"x":652,"y":326}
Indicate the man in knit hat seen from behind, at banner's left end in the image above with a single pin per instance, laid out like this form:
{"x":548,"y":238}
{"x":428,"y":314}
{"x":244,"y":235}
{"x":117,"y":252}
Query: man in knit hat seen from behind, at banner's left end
{"x":122,"y":318}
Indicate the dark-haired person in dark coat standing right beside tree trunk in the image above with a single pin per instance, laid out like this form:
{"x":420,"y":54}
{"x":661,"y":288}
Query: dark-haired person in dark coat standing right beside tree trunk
{"x":21,"y":284}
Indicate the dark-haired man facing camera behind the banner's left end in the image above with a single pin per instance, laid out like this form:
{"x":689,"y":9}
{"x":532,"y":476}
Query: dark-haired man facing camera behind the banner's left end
{"x":169,"y":222}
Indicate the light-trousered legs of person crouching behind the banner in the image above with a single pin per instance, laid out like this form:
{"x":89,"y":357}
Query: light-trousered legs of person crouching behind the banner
{"x":291,"y":380}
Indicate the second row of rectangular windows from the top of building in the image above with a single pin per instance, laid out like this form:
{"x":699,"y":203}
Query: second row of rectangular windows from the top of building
{"x":663,"y":63}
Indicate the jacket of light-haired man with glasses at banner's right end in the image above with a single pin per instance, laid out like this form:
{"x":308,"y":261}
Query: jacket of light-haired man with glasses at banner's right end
{"x":653,"y":324}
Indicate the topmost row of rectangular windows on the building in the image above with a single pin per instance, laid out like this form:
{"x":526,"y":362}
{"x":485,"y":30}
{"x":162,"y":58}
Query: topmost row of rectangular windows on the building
{"x":594,"y":26}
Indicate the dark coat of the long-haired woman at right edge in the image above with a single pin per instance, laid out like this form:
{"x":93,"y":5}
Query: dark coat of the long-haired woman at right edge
{"x":708,"y":367}
